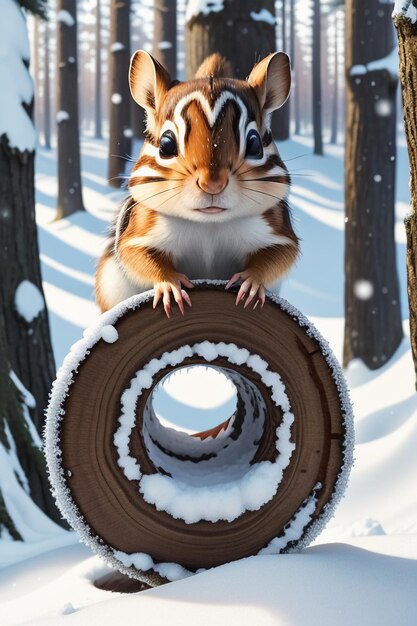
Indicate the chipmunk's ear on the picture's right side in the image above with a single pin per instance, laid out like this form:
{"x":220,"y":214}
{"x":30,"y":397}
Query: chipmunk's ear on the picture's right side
{"x":271,"y":79}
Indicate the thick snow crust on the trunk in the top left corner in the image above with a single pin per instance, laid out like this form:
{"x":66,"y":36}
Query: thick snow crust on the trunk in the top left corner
{"x":16,"y":83}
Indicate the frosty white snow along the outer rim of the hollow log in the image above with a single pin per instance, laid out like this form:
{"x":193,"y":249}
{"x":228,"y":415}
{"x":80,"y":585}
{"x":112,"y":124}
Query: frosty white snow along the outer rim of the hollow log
{"x":55,"y":412}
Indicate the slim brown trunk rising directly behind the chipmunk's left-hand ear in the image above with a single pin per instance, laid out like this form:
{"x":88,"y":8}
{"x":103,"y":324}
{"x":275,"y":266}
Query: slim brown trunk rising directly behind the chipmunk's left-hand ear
{"x":165,"y":34}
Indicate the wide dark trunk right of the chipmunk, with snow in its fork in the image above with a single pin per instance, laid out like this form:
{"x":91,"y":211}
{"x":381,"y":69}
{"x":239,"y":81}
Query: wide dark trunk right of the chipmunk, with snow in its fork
{"x":373,"y":328}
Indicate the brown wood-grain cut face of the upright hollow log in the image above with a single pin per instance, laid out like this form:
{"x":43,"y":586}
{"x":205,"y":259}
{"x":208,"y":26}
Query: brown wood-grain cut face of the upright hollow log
{"x":112,"y":505}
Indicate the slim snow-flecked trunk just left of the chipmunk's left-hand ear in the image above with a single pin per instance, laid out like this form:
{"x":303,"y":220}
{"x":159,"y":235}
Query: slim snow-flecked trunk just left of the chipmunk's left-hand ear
{"x":120,"y":141}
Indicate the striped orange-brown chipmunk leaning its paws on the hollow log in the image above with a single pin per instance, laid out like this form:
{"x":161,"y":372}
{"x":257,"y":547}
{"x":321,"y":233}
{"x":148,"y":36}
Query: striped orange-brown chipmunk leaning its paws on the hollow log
{"x":208,"y":191}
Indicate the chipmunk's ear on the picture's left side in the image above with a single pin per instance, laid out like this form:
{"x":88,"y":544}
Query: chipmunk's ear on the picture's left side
{"x":148,"y":80}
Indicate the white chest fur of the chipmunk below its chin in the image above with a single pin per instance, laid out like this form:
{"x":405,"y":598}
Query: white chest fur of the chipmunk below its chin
{"x":210,"y":250}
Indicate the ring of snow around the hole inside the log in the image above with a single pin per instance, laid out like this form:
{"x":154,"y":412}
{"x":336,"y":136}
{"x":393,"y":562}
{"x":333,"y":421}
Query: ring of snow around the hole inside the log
{"x":226,"y":500}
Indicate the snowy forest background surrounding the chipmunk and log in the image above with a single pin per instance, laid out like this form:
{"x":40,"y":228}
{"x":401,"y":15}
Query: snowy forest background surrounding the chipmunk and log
{"x":70,"y":134}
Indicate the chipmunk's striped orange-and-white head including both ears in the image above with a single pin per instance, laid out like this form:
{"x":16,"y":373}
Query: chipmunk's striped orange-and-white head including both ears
{"x":209,"y":154}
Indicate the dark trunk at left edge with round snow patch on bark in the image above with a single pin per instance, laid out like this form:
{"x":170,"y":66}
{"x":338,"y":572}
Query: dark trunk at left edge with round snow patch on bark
{"x":29,"y":346}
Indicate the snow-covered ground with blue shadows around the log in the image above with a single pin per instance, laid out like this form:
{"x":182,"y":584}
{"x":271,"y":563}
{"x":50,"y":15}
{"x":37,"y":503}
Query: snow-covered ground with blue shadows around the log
{"x":363,"y":568}
